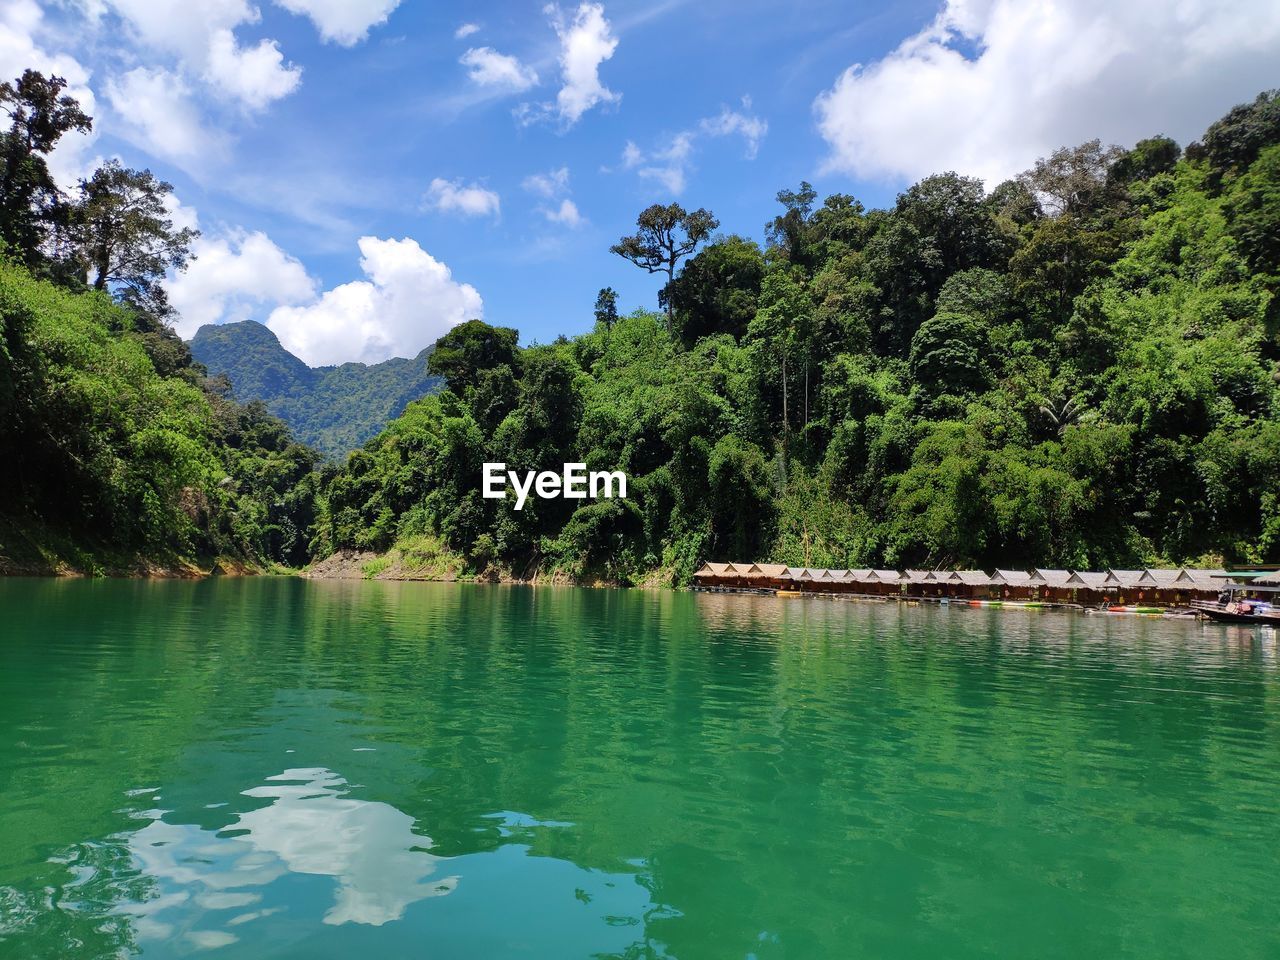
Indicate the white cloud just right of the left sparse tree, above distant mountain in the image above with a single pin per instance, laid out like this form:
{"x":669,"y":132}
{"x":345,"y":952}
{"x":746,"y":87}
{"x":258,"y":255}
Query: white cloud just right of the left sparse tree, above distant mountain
{"x":235,"y":277}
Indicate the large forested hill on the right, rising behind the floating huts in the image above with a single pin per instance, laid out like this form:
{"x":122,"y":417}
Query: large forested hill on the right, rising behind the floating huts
{"x":1077,"y":369}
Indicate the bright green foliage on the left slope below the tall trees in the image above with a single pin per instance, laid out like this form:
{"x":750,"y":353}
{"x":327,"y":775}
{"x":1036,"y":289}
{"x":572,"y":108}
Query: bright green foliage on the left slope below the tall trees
{"x":112,"y":463}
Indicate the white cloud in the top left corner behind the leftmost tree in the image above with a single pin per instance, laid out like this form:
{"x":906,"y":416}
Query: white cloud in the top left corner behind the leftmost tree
{"x":20,"y":24}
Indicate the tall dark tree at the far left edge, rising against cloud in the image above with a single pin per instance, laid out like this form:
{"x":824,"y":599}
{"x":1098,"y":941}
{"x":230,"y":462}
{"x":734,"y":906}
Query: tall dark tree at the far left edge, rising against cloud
{"x":31,"y":205}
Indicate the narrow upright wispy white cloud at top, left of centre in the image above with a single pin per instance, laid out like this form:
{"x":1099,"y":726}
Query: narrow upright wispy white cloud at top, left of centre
{"x":587,"y":42}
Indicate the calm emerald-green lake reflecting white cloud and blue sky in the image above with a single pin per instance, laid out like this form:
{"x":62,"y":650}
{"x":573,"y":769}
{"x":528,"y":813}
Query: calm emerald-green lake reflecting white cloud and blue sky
{"x":282,"y":769}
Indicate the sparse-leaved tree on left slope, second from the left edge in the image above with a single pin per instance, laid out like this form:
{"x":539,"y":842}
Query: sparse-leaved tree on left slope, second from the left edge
{"x":125,"y":235}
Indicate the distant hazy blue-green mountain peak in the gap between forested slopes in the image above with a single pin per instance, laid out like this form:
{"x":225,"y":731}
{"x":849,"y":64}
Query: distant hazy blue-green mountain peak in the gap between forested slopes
{"x":333,"y":409}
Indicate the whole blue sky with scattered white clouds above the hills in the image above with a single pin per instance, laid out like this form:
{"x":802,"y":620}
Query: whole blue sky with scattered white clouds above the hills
{"x":368,"y":173}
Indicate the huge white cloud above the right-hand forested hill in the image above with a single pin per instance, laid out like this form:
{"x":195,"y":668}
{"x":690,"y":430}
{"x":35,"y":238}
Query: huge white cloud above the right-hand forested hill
{"x":1046,"y":75}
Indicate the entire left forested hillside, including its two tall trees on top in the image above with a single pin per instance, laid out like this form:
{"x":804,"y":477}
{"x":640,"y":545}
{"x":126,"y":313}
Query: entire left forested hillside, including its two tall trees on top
{"x":120,"y":454}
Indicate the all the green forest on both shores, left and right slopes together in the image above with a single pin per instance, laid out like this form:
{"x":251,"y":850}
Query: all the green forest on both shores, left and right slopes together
{"x":1078,"y":368}
